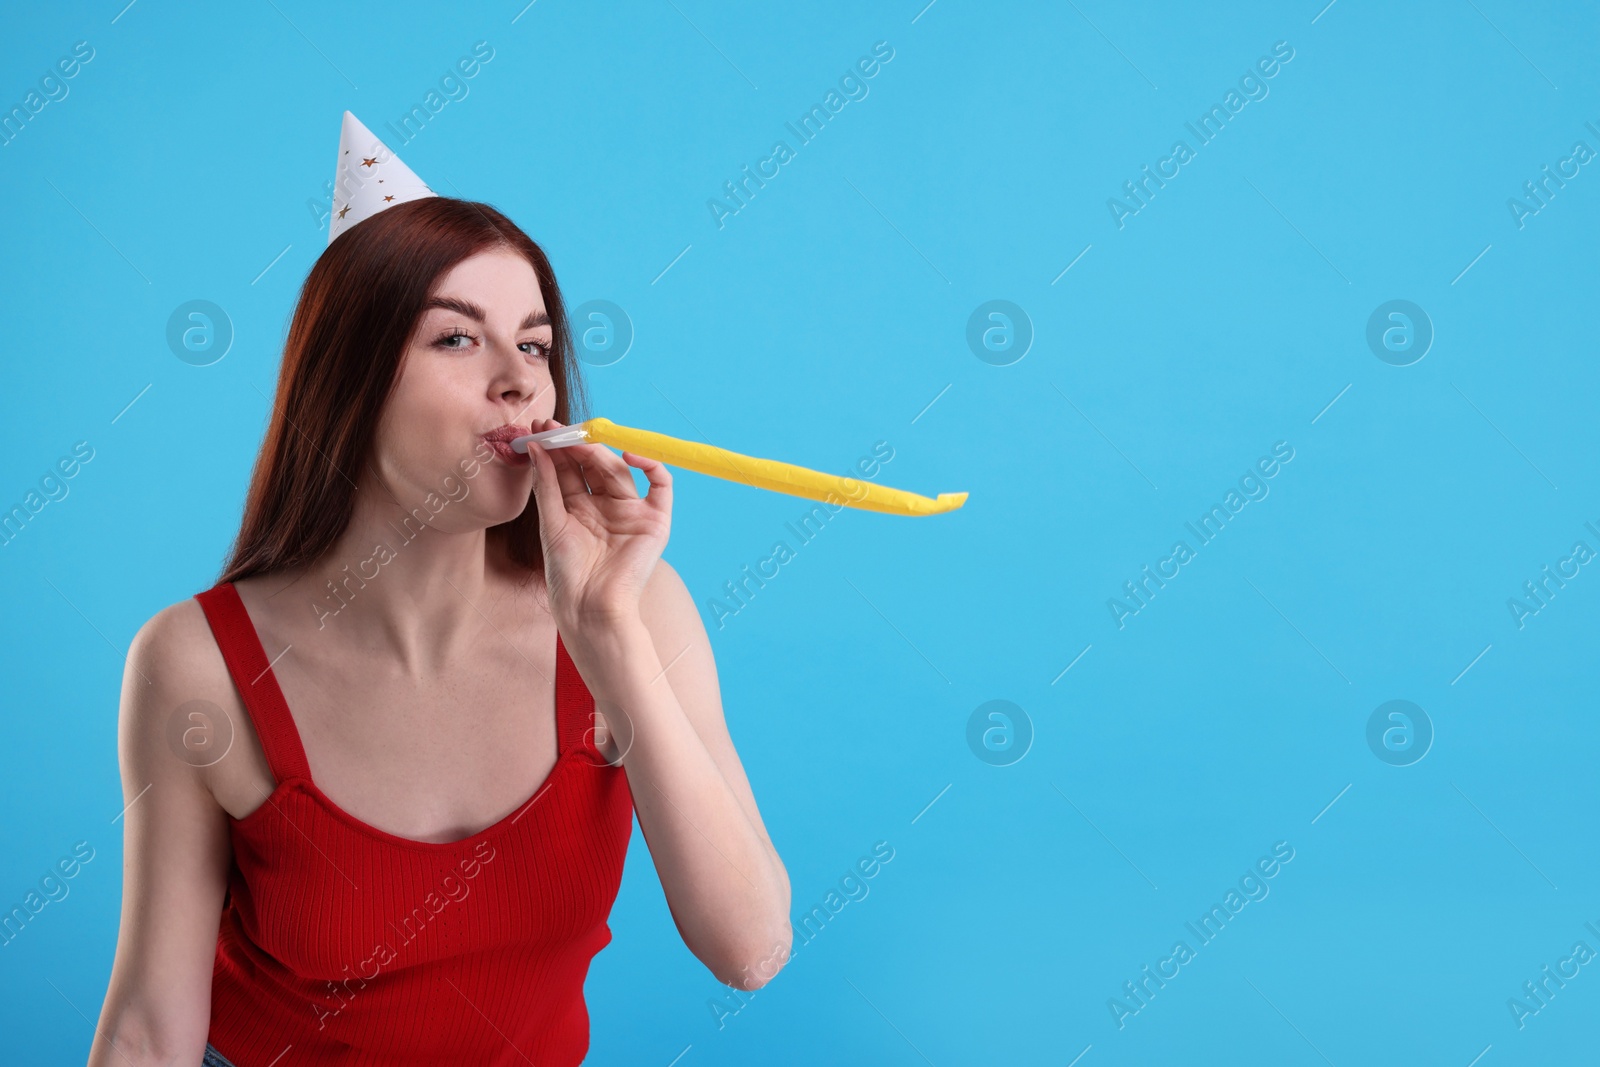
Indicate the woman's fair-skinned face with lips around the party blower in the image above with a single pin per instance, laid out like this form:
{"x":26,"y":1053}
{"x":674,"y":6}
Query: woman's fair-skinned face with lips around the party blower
{"x":478,"y":361}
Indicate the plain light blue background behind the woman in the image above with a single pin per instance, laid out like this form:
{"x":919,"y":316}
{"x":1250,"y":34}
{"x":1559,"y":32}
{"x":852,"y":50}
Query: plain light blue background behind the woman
{"x":831,"y":314}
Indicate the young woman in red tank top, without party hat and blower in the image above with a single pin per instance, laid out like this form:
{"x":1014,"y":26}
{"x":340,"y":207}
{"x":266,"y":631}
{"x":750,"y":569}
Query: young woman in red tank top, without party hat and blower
{"x":382,"y":777}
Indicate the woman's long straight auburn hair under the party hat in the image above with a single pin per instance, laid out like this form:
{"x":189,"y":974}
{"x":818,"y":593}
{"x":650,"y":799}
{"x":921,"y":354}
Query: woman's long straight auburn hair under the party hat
{"x":354,"y":318}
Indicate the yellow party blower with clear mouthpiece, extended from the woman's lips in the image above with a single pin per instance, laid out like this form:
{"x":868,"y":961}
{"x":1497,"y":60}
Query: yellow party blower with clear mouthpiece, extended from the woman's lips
{"x":764,"y":474}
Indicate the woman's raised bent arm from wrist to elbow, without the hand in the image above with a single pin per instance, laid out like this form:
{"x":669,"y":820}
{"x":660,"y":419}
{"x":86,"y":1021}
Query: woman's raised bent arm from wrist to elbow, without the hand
{"x":655,"y":682}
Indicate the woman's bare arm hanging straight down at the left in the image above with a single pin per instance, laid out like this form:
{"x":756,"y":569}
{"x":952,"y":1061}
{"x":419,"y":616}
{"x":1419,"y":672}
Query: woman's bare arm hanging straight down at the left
{"x":177,"y":852}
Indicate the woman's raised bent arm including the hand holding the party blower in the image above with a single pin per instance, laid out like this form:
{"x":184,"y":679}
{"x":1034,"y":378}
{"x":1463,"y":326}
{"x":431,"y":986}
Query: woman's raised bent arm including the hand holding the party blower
{"x":639,"y":644}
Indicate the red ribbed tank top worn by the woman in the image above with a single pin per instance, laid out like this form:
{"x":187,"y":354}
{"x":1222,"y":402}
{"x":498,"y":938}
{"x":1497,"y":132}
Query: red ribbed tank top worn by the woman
{"x":346,"y":945}
